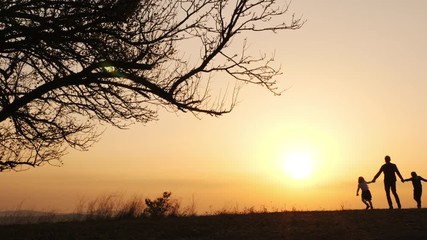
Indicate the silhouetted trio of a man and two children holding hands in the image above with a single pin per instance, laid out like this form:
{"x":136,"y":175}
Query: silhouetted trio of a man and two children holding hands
{"x":390,"y":171}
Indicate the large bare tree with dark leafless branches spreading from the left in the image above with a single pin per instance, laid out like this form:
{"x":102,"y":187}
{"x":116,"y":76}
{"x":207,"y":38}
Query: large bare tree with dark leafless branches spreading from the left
{"x":68,"y":66}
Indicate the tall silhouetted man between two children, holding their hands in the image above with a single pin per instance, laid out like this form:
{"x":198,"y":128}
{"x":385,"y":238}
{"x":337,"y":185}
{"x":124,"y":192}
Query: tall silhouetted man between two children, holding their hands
{"x":390,"y":170}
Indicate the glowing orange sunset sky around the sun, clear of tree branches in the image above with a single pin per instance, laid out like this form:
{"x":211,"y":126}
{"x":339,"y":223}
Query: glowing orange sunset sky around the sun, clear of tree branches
{"x":356,"y":81}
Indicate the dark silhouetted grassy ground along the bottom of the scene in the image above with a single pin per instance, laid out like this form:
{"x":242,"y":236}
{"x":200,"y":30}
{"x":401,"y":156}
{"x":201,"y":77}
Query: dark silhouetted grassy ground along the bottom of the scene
{"x":408,"y":224}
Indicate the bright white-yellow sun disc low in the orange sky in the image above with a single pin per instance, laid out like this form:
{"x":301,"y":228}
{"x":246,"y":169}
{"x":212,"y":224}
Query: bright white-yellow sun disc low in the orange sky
{"x":298,"y":165}
